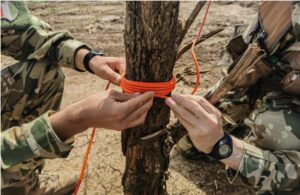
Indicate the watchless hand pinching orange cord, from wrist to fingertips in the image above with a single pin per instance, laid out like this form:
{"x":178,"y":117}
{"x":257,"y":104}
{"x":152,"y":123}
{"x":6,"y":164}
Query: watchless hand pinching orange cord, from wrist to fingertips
{"x":115,"y":110}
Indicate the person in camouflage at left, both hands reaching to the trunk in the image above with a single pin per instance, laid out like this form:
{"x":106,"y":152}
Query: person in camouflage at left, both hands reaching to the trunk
{"x":32,"y":127}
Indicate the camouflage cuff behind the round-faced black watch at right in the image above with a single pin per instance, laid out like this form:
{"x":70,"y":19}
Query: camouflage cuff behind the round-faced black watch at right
{"x":250,"y":169}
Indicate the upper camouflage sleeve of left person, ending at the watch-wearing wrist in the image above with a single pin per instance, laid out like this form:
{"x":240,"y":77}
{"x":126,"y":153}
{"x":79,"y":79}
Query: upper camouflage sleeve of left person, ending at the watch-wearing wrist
{"x":38,"y":42}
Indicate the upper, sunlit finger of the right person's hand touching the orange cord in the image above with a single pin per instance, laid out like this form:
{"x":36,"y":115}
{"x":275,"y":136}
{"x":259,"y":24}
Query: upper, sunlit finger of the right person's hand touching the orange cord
{"x":191,"y":105}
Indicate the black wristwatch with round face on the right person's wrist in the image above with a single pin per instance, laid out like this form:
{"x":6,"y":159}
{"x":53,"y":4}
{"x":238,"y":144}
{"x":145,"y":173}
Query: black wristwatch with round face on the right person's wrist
{"x":223,"y":148}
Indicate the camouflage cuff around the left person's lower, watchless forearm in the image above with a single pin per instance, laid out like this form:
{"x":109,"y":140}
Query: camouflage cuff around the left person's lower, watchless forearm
{"x":43,"y":141}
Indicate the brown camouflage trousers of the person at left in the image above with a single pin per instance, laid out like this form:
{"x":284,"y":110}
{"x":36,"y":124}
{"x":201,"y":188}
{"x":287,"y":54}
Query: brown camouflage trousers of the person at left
{"x":29,"y":89}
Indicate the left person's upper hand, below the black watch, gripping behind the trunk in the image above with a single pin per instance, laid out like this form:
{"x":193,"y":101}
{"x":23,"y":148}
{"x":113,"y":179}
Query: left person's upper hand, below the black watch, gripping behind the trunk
{"x":109,"y":68}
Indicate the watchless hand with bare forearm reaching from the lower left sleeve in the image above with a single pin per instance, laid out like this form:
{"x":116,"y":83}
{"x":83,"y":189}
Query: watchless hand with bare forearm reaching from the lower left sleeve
{"x":109,"y":109}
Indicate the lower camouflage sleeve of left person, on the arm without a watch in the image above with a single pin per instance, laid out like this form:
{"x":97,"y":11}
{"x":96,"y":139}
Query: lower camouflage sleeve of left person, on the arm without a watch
{"x":33,"y":140}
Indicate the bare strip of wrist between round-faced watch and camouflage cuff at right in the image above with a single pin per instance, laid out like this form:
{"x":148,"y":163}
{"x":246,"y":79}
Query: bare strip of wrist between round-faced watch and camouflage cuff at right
{"x":235,"y":158}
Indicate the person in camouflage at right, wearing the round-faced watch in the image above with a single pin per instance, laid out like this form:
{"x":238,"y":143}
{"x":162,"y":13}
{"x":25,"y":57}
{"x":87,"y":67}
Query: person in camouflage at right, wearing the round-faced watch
{"x":269,"y":159}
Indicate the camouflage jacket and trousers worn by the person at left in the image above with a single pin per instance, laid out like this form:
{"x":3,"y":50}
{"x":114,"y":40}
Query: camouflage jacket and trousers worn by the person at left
{"x":31,"y":91}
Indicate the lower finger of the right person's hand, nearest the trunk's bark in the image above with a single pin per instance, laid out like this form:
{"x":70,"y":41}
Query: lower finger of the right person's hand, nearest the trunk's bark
{"x":180,"y":111}
